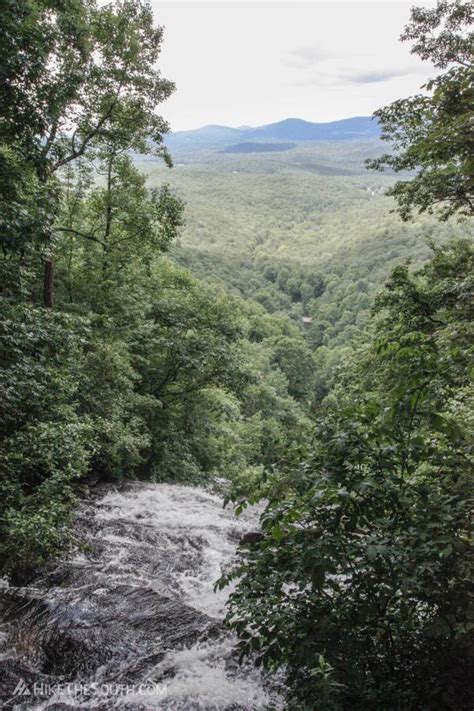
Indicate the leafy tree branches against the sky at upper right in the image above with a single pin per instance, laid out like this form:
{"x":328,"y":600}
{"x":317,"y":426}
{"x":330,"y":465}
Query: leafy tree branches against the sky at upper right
{"x":432,"y":132}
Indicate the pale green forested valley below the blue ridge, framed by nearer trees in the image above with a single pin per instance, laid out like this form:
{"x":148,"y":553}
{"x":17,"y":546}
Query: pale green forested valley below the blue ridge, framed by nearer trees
{"x":307,"y":231}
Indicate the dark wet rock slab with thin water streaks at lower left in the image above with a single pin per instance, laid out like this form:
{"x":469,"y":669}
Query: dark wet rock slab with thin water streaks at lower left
{"x":69,"y":635}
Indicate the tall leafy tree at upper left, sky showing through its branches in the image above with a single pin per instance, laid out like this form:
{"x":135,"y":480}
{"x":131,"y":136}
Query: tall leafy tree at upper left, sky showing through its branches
{"x":76,"y":76}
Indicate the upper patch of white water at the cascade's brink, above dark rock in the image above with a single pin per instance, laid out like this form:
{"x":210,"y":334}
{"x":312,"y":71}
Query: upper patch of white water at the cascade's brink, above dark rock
{"x":194,"y":533}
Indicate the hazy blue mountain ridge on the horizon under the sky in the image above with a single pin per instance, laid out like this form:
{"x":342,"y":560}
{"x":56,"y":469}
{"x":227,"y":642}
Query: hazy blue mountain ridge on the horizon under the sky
{"x":291,"y":129}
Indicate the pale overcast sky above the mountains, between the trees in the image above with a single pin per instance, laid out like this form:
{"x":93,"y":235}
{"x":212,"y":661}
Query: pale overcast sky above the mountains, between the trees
{"x":251,"y":63}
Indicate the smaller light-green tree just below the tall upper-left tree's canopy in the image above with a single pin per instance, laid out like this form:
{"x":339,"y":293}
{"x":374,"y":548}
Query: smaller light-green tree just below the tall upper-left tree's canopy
{"x":107,"y":229}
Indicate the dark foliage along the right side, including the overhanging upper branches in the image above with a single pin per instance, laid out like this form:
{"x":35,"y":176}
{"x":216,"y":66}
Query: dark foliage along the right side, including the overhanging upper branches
{"x":360,"y":587}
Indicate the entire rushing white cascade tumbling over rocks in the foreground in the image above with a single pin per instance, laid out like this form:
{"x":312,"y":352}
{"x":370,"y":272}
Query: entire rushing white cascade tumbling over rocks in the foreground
{"x":150,"y":547}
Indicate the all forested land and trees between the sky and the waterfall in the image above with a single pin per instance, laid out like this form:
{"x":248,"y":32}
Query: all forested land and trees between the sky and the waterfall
{"x":290,"y":327}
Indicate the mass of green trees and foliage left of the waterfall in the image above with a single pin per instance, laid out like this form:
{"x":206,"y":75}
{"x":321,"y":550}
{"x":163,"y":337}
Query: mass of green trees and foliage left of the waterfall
{"x":115,"y":362}
